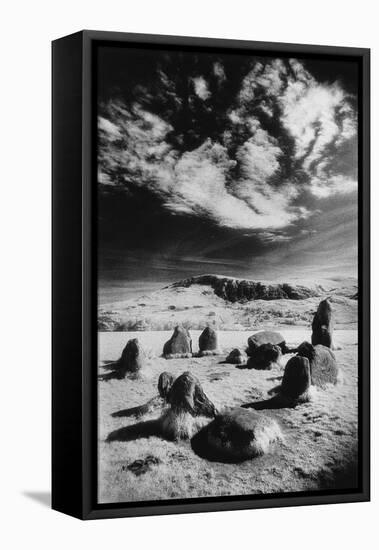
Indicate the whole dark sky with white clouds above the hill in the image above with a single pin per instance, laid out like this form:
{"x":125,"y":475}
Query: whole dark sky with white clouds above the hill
{"x":234,"y":164}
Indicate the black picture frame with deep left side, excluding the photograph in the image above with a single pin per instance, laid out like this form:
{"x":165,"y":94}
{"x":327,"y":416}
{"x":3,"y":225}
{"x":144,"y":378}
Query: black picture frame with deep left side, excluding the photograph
{"x":74,"y":403}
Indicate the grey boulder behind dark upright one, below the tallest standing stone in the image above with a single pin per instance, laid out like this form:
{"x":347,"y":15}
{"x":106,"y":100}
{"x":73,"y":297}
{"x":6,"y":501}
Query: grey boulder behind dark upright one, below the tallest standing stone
{"x":323,"y":364}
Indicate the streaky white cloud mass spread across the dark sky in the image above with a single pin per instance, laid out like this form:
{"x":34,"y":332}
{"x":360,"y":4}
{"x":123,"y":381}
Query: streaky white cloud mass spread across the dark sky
{"x":245,"y":157}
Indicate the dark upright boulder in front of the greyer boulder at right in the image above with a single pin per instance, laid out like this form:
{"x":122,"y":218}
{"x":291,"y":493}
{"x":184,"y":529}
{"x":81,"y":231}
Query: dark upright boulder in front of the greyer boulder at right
{"x":296,"y":381}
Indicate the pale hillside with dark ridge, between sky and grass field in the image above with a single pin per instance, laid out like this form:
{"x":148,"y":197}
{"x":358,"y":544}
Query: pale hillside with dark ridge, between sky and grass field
{"x":229,"y":304}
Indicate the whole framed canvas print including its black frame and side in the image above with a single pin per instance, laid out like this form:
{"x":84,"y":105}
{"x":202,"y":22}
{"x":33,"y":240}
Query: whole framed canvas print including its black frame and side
{"x":210,"y":275}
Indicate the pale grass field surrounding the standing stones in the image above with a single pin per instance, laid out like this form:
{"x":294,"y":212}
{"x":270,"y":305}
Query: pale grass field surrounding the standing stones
{"x":319,"y":450}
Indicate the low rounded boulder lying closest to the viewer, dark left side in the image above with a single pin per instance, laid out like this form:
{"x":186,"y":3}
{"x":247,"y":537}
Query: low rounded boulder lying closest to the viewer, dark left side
{"x":241,"y":434}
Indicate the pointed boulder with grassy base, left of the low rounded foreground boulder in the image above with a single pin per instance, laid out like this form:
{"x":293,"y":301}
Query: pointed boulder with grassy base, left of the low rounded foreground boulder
{"x":189,"y":409}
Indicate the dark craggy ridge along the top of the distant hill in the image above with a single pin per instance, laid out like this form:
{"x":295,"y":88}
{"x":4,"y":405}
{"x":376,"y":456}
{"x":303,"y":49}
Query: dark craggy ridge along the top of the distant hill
{"x":242,"y":290}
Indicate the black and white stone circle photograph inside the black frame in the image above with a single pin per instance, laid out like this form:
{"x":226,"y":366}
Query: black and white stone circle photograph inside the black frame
{"x":227,"y":273}
